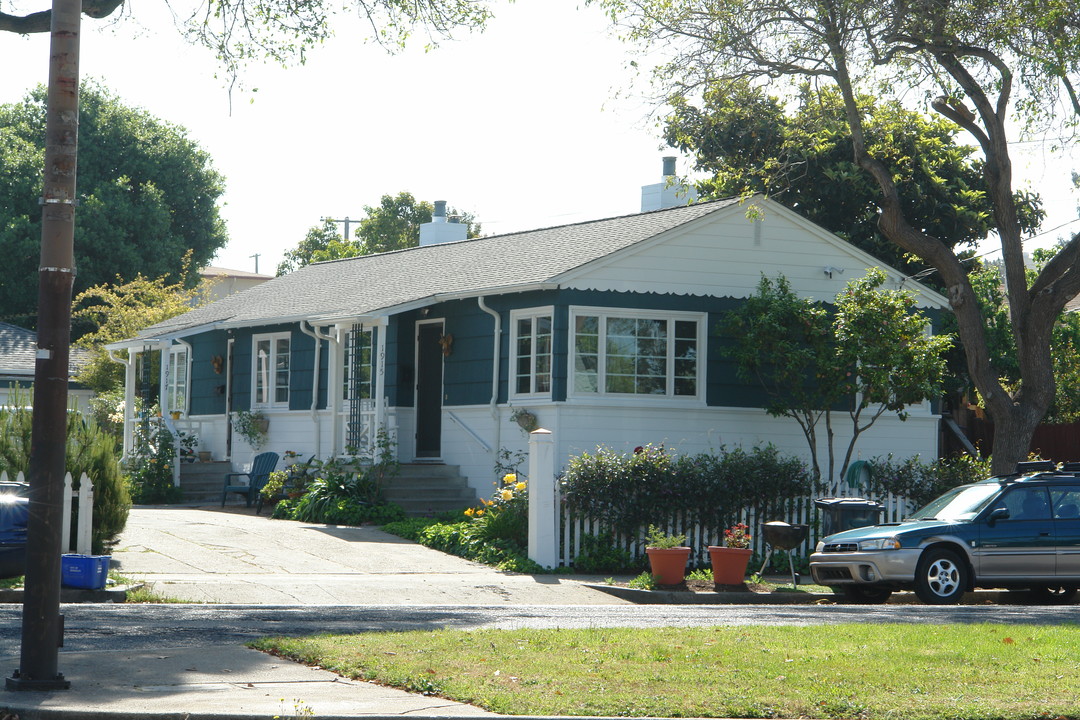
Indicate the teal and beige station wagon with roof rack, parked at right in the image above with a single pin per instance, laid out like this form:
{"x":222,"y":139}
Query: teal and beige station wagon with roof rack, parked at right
{"x":1019,"y":532}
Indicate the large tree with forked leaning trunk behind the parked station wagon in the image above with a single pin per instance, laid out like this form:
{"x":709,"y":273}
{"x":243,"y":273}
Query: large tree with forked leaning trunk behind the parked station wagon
{"x":995,"y":70}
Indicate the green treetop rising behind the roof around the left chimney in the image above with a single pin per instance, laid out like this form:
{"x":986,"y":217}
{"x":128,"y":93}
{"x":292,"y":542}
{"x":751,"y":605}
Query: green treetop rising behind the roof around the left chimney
{"x":393,"y":225}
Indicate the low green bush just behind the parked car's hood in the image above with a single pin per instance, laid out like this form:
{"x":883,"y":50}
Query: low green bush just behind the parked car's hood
{"x":921,"y":482}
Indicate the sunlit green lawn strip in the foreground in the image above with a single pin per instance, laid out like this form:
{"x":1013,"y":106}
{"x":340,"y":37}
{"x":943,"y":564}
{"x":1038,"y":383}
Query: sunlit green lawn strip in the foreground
{"x":909,"y":672}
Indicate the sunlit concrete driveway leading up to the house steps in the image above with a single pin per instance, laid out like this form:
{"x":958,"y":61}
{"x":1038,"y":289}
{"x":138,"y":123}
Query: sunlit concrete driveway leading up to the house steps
{"x":231,"y":555}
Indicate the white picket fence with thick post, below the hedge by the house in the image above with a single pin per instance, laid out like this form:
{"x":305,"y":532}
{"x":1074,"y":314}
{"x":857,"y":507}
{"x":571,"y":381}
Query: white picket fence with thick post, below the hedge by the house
{"x":556,"y":535}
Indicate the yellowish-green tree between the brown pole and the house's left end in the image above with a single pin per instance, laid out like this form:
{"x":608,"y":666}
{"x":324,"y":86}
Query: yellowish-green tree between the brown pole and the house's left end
{"x":118,"y":313}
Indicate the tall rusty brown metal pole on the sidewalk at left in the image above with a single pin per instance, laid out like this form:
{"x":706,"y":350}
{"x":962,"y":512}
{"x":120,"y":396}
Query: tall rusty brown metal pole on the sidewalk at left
{"x":43,"y":624}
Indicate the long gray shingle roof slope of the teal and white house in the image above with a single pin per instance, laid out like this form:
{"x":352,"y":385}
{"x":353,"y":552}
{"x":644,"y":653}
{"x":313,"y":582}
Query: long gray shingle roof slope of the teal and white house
{"x":374,"y":283}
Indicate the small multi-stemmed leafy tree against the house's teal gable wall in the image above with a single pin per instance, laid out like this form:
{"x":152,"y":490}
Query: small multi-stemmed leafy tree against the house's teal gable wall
{"x":868,"y":357}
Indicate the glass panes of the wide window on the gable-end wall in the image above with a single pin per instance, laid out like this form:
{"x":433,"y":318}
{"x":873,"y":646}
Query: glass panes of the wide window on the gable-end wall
{"x":636,"y":354}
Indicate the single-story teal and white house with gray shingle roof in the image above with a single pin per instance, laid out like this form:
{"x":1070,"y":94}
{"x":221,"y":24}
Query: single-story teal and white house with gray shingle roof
{"x":607,"y":332}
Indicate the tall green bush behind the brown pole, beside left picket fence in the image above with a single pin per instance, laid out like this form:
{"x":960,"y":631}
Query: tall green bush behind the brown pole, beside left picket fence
{"x":89,"y":451}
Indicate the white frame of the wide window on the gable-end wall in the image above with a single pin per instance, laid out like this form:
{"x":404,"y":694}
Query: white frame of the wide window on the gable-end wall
{"x":604,"y":315}
